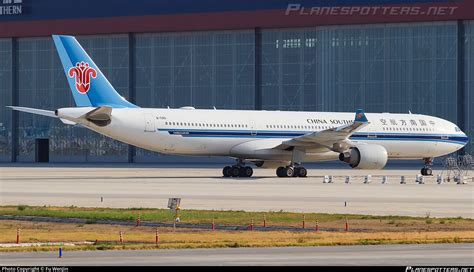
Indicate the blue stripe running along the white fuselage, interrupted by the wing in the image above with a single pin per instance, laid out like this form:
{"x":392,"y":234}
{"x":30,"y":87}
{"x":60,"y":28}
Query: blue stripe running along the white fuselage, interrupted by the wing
{"x":383,"y":136}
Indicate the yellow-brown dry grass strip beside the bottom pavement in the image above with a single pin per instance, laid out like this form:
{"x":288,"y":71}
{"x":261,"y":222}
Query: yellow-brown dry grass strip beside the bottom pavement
{"x":144,"y":237}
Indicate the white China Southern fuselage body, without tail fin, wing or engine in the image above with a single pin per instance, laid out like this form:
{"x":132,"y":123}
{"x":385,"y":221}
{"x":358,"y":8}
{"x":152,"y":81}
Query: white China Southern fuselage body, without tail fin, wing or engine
{"x":253,"y":134}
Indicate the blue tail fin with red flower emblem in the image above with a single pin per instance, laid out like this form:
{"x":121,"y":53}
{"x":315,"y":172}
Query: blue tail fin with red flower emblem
{"x":89,"y":86}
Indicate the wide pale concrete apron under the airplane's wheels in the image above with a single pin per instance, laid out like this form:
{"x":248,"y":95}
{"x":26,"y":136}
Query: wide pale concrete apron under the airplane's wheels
{"x":204,"y":188}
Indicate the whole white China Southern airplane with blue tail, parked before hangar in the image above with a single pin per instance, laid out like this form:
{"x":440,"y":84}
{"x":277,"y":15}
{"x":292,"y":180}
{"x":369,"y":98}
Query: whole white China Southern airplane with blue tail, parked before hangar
{"x":269,"y":139}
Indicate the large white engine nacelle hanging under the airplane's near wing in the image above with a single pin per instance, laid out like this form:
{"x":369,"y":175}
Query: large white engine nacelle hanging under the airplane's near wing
{"x":365,"y":157}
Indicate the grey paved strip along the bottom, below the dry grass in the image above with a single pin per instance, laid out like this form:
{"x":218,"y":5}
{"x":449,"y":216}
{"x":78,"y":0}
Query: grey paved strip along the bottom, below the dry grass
{"x":381,"y":255}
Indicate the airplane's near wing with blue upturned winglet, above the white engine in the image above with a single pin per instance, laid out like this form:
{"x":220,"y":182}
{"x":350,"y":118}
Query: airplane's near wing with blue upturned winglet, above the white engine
{"x":335,"y":139}
